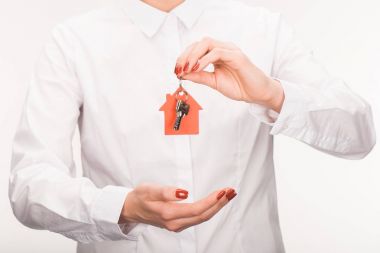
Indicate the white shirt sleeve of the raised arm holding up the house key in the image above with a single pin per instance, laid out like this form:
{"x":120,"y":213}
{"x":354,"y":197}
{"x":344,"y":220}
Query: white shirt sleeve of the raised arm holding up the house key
{"x":319,"y":109}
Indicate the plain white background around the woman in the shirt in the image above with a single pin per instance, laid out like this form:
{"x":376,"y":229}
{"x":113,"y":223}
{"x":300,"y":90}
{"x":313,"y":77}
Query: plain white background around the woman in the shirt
{"x":326,"y":204}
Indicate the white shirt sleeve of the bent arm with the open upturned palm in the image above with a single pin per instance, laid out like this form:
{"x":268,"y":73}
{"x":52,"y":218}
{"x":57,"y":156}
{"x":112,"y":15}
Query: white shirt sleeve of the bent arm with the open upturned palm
{"x":44,"y":191}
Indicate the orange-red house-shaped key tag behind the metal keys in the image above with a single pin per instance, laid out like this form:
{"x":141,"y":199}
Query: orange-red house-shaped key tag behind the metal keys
{"x":189,"y":123}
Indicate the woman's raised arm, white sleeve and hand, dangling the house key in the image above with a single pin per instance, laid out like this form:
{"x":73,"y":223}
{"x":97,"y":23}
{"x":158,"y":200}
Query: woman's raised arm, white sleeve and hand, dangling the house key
{"x":299,"y":99}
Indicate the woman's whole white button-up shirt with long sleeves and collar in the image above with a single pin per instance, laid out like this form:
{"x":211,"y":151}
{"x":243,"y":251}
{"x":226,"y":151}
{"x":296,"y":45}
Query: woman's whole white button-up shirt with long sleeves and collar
{"x":109,"y":71}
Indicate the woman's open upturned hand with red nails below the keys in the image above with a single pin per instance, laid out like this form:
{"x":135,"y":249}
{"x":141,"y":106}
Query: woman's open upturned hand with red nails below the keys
{"x":157,"y":205}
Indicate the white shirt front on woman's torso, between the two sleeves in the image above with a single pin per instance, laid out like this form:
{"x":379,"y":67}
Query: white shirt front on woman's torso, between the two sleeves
{"x":125,"y":77}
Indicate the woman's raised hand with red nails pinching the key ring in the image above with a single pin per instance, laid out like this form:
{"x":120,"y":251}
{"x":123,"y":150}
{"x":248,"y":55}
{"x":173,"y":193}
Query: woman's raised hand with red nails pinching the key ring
{"x":235,"y":76}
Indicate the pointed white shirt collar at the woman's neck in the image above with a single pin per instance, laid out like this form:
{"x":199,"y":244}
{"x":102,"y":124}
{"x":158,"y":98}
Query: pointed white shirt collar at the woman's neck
{"x":149,"y":19}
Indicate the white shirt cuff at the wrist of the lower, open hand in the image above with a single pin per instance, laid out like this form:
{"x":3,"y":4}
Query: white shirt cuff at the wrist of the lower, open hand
{"x":106,"y":213}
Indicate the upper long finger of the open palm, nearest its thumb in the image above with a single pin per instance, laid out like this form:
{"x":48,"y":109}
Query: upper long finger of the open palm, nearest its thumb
{"x":172,"y":210}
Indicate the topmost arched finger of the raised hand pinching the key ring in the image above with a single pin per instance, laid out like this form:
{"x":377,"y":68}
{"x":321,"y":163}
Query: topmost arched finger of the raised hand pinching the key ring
{"x":202,"y":48}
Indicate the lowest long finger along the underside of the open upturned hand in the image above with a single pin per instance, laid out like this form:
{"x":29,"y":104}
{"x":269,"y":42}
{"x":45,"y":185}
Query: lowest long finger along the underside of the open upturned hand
{"x":183,"y":223}
